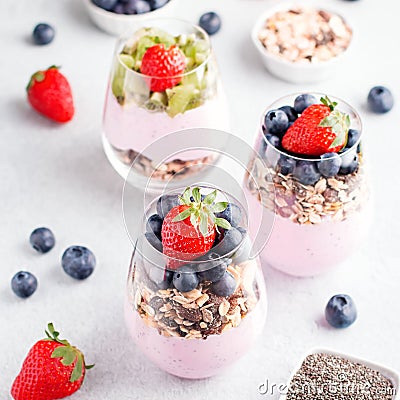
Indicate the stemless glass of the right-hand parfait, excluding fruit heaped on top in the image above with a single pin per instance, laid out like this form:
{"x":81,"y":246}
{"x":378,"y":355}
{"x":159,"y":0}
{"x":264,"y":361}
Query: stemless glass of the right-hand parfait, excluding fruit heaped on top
{"x":319,"y":220}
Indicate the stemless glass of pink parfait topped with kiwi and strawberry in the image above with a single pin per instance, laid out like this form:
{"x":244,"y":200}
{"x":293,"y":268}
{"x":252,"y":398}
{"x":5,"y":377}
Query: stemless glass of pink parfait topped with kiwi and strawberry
{"x":164,"y":78}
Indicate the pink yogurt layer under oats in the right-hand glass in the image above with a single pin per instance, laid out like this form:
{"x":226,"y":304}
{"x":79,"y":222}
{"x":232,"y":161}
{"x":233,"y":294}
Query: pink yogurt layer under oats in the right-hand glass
{"x":307,"y":250}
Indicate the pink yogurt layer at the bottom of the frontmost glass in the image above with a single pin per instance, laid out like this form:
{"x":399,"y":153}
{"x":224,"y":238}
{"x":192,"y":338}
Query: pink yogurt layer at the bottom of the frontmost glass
{"x":197,"y":358}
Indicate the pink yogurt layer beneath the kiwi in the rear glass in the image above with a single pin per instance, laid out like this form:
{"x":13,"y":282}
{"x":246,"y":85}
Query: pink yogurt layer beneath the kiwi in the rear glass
{"x":132,"y":127}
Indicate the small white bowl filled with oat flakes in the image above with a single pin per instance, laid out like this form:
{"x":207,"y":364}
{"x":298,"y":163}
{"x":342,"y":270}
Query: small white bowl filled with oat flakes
{"x":301,"y":44}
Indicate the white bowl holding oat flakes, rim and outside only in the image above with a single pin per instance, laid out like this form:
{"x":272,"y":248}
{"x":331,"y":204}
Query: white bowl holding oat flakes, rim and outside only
{"x":292,"y":71}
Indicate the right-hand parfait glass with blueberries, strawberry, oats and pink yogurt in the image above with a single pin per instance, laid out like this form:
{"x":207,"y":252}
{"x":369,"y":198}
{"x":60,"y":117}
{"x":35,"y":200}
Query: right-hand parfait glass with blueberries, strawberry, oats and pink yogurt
{"x":318,"y":194}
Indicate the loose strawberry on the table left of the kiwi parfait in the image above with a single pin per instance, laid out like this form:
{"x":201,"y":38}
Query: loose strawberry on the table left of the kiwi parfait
{"x":49,"y":93}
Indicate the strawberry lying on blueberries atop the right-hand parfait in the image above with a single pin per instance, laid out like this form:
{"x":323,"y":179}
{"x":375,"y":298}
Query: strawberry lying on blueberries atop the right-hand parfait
{"x":320,"y":129}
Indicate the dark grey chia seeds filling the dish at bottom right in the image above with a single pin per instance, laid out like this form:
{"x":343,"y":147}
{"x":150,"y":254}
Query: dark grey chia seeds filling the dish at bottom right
{"x":328,"y":377}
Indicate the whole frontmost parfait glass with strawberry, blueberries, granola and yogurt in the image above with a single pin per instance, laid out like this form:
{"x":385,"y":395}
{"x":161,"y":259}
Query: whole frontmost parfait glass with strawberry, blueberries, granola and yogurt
{"x":196,"y":299}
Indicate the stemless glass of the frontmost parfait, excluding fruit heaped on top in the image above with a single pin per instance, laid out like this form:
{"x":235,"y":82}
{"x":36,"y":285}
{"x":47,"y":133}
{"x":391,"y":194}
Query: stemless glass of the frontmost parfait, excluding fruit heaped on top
{"x":198,"y":333}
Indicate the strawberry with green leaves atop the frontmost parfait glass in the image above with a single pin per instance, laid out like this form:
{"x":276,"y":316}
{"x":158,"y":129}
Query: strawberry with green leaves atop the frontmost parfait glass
{"x":188,"y":230}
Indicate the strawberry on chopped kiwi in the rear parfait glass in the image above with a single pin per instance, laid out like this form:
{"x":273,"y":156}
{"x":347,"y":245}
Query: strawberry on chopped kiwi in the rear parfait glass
{"x":159,"y":62}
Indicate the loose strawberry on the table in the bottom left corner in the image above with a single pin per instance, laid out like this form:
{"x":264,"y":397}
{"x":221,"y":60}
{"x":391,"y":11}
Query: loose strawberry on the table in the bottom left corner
{"x":53,"y":369}
